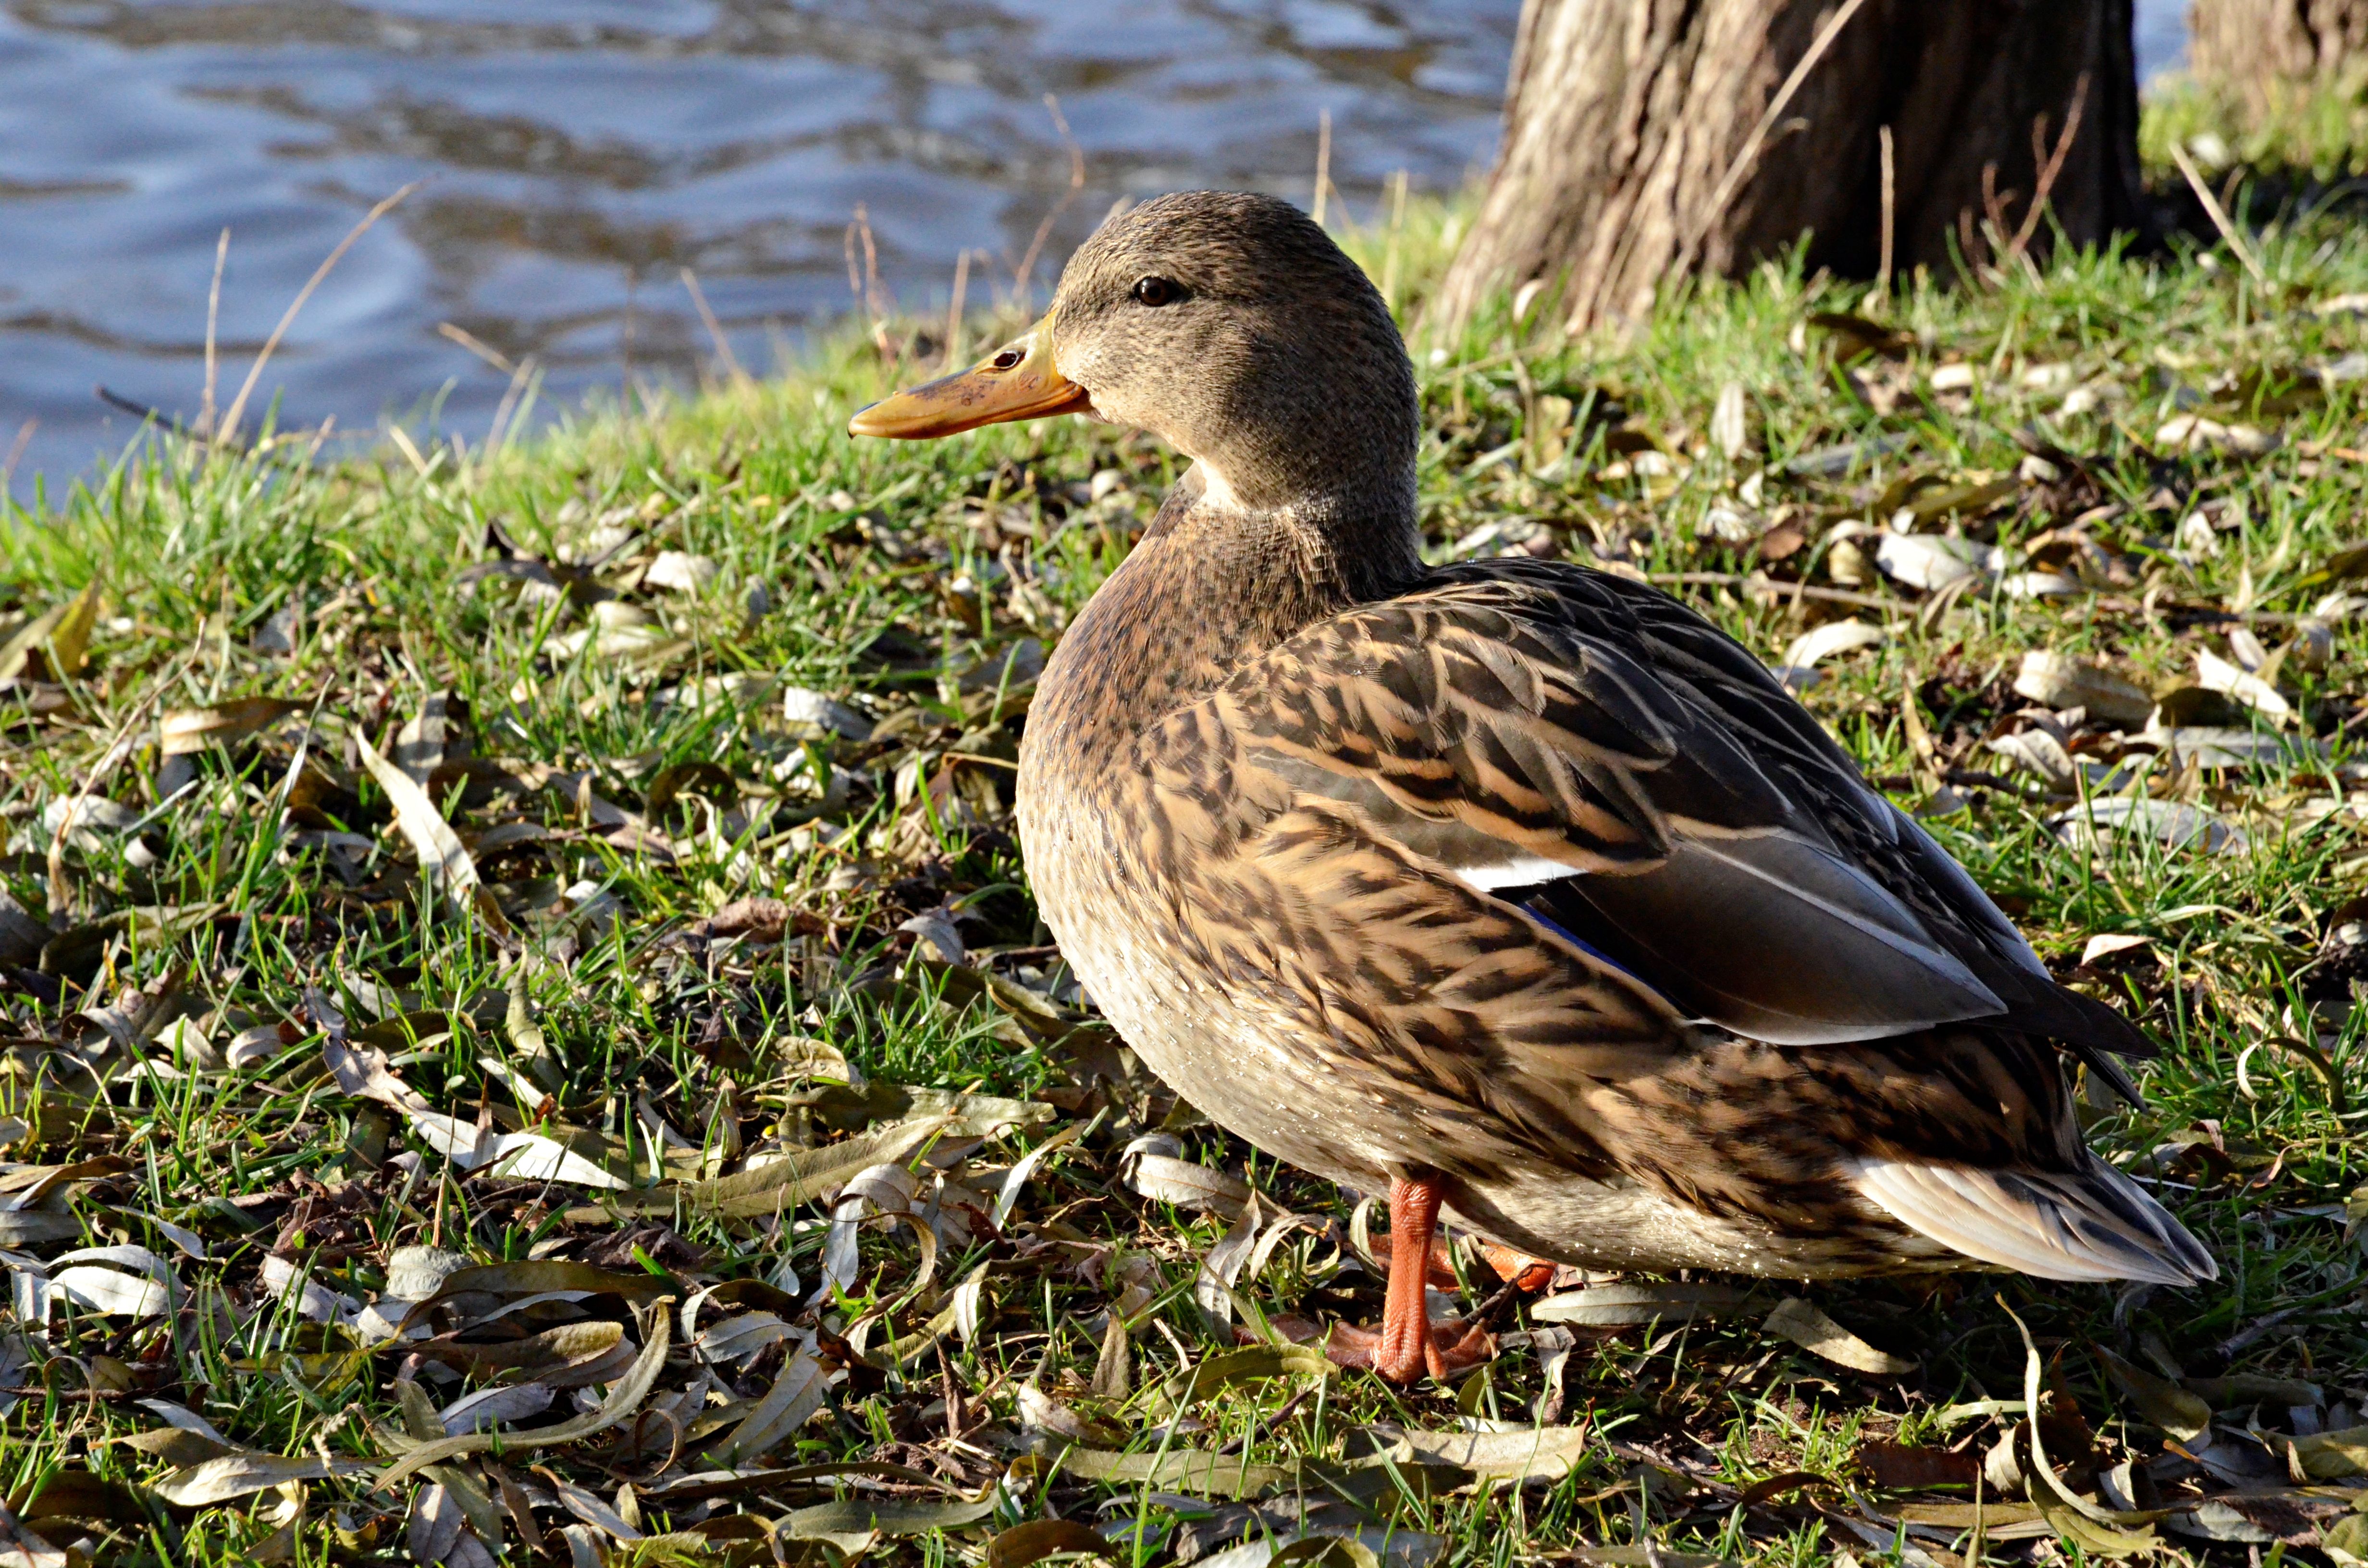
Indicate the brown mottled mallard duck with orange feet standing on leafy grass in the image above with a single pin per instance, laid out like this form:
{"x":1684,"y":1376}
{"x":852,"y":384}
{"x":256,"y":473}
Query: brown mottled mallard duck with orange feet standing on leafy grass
{"x":1510,"y":887}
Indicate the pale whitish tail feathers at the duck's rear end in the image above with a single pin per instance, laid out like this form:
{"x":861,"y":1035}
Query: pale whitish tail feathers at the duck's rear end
{"x":2085,"y":1226}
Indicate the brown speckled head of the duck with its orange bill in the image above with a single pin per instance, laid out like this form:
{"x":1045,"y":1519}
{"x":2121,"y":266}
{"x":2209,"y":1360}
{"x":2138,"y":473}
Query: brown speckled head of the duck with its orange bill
{"x":1233,"y":328}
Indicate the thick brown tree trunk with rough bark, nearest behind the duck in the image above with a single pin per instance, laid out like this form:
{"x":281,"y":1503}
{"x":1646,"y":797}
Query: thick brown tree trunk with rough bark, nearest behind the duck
{"x":1635,"y":146}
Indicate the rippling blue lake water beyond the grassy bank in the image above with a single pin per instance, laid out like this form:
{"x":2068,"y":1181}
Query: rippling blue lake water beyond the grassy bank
{"x":577,"y":158}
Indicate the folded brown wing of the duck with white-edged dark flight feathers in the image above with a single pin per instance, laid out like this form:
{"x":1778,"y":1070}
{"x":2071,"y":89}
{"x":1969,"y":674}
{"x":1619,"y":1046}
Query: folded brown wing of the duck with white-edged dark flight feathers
{"x":1607,"y":759}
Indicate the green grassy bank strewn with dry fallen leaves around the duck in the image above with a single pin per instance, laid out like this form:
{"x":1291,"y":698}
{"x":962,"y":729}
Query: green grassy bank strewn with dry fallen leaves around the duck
{"x":629,"y":743}
